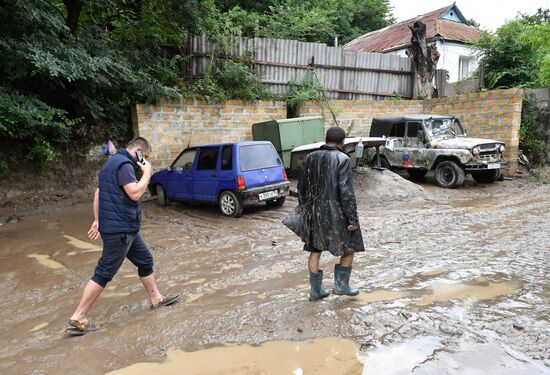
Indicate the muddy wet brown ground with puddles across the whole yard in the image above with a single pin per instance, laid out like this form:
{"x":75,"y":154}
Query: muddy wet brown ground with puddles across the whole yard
{"x":453,"y":281}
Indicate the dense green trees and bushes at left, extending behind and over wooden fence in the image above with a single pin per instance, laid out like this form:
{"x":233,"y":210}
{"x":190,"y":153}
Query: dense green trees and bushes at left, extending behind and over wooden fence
{"x":72,"y":69}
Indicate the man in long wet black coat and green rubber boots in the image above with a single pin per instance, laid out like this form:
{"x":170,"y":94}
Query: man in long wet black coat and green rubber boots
{"x":329,"y":214}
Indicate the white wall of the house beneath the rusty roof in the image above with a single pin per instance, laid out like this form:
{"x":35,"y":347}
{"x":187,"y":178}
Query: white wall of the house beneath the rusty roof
{"x":449,"y":58}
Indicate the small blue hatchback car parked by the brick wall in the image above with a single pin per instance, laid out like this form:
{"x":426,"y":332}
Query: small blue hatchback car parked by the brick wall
{"x":233,"y":175}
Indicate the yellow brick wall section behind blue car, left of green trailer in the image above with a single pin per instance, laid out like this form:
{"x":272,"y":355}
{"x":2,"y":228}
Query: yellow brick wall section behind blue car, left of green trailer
{"x":171,"y":124}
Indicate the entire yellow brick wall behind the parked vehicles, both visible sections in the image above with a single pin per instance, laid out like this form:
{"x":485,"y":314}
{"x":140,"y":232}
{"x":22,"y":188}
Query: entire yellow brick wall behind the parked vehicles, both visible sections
{"x":171,"y":125}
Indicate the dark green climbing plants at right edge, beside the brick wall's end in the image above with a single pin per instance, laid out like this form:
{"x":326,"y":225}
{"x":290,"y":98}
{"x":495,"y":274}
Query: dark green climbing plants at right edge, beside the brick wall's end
{"x":534,"y":135}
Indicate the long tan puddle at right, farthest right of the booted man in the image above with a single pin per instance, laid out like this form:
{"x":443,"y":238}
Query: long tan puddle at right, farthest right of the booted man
{"x":482,"y":290}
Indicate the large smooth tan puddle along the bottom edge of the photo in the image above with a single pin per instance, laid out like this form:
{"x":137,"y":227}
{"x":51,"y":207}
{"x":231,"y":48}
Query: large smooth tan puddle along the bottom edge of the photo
{"x":327,"y":356}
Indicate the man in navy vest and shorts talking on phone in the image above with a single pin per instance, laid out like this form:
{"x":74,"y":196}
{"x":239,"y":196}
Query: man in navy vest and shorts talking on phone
{"x":117,"y":219}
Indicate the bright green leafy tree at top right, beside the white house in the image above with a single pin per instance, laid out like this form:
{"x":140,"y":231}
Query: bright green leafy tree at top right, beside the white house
{"x":518,"y":54}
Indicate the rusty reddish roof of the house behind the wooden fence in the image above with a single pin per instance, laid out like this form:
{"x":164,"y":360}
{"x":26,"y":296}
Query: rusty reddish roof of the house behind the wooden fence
{"x":398,"y":35}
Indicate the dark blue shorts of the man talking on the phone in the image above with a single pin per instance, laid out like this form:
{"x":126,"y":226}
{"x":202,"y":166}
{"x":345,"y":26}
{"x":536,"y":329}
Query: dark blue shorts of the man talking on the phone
{"x":118,"y":246}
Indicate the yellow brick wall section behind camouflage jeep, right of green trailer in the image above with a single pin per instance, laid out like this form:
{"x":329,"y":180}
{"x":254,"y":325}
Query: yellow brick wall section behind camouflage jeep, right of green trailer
{"x":493,"y":114}
